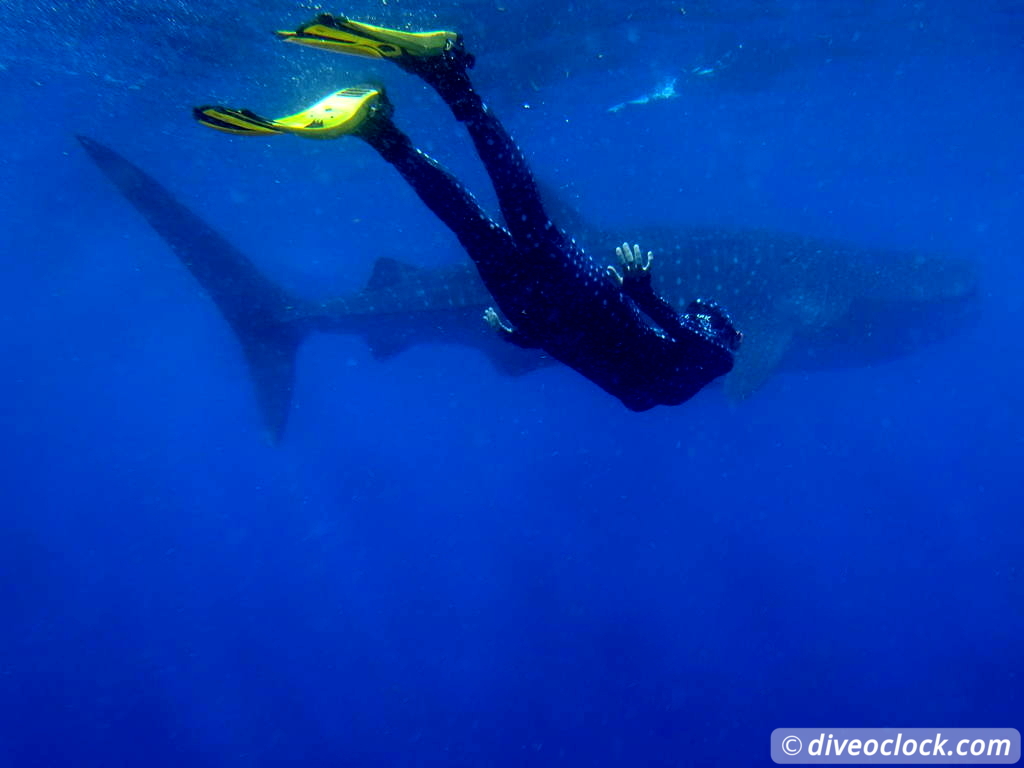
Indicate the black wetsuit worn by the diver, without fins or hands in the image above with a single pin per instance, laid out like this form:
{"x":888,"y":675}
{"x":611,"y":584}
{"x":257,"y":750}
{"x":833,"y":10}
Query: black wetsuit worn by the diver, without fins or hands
{"x":625,"y":338}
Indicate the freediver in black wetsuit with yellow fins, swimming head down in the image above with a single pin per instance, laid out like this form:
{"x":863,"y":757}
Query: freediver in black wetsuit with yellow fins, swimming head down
{"x":611,"y":327}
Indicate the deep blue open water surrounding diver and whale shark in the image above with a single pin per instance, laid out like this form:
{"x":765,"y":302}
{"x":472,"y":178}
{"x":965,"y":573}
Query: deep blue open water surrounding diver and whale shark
{"x":444,"y":567}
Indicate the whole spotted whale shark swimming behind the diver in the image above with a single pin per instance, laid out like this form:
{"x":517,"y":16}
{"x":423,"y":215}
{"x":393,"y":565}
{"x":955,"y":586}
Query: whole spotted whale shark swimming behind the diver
{"x":802,"y":304}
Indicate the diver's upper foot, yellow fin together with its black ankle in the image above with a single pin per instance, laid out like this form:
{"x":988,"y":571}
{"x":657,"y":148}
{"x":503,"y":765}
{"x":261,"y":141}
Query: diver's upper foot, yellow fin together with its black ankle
{"x":419,"y":53}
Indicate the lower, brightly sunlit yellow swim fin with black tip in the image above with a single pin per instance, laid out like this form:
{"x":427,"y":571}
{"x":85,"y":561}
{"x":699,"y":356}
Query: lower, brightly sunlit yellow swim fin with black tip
{"x":349,"y":112}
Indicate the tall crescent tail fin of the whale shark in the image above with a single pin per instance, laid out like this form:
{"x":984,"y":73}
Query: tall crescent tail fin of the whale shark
{"x":270,"y":323}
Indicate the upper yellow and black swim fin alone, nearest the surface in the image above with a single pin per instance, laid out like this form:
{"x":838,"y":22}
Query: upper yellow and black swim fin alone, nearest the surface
{"x":345,"y":36}
